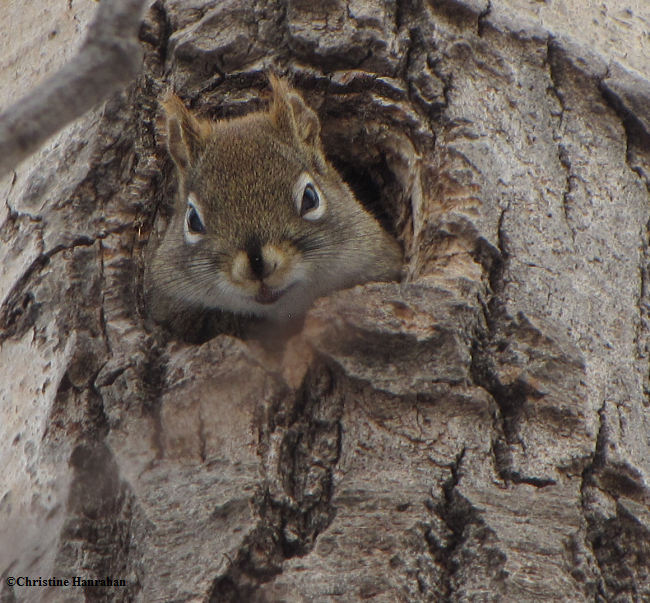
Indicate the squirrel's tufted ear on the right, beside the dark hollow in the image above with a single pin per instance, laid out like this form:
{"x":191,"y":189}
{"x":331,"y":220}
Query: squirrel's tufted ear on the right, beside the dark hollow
{"x":292,"y":116}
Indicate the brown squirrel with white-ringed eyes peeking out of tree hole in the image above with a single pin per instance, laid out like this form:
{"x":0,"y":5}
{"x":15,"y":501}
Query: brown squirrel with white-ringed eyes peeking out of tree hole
{"x":263,"y":224}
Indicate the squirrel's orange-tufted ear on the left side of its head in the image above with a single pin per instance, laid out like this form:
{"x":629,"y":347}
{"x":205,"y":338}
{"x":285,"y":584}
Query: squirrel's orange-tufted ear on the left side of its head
{"x":185,"y":133}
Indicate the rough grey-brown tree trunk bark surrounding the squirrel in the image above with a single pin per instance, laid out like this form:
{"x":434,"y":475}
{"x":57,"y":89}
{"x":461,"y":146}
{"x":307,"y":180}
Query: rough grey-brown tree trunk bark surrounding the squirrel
{"x":478,"y":432}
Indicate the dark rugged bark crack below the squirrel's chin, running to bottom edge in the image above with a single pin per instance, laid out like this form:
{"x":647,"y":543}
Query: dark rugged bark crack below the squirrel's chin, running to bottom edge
{"x":291,"y":519}
